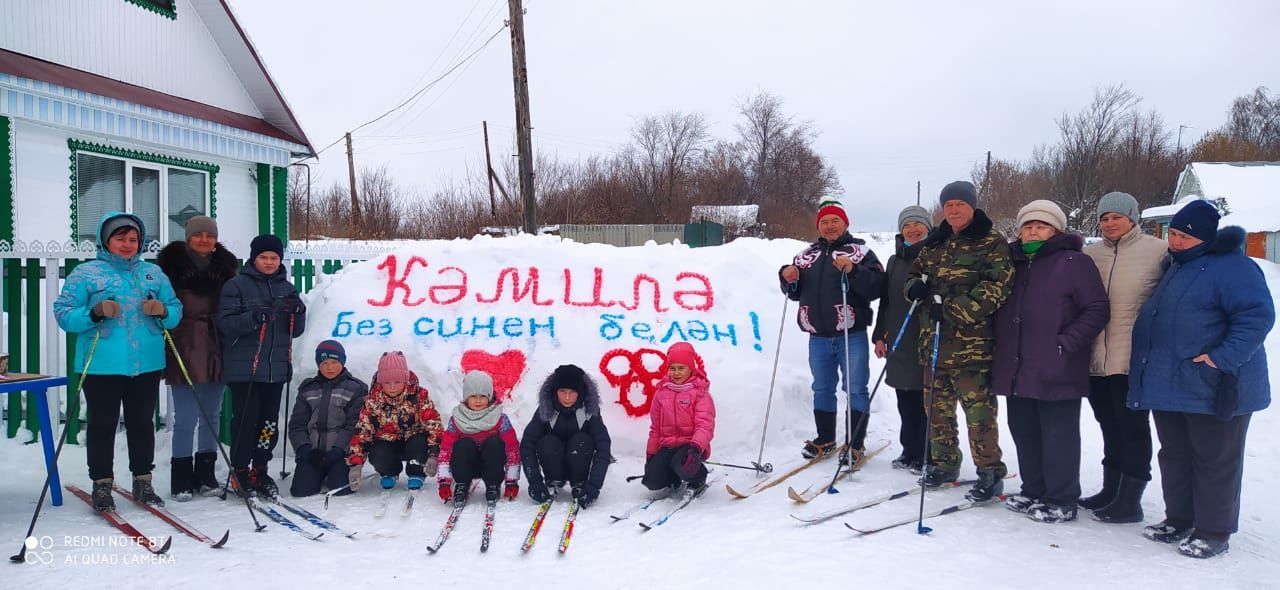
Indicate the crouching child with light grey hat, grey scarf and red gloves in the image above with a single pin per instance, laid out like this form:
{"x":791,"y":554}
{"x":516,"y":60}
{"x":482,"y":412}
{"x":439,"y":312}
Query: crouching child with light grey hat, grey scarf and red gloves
{"x":479,"y":442}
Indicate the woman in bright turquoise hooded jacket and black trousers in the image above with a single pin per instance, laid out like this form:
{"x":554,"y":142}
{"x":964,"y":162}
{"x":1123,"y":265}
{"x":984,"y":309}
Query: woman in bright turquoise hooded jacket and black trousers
{"x":120,"y":308}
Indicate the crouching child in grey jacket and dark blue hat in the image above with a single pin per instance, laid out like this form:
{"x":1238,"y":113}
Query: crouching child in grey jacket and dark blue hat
{"x":324,"y":422}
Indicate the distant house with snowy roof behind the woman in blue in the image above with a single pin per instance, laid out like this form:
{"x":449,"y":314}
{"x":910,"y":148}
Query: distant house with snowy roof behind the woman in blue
{"x":1247,"y":194}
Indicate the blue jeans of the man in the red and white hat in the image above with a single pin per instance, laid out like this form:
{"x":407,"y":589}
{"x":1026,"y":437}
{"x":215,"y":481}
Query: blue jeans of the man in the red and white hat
{"x":828,"y":358}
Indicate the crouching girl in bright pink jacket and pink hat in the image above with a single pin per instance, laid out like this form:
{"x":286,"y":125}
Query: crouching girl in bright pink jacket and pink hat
{"x":683,"y":424}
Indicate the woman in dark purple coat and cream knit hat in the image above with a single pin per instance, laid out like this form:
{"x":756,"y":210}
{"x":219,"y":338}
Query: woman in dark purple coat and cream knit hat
{"x":1044,"y":340}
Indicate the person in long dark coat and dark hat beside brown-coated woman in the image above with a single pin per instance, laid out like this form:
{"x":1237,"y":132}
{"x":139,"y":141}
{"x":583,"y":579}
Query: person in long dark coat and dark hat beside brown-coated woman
{"x":255,"y":315}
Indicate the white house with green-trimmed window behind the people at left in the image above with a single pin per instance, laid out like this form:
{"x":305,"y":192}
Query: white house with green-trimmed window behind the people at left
{"x":162,"y":108}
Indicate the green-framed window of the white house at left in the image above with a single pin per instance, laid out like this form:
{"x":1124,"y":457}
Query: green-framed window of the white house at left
{"x":163,"y":193}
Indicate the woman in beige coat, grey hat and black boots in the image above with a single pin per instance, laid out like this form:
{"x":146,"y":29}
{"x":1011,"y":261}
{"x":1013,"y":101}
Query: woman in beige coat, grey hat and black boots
{"x":1130,"y":264}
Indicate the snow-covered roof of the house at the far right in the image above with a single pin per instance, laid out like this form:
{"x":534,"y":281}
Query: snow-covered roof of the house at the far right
{"x":1251,"y":191}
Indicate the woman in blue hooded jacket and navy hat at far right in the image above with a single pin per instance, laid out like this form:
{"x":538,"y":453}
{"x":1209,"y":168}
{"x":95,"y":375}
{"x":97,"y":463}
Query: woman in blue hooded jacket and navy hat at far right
{"x":1200,"y":365}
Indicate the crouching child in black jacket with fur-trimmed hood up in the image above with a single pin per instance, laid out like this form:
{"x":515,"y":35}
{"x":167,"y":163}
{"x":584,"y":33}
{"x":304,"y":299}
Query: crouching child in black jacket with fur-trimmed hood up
{"x":566,"y":441}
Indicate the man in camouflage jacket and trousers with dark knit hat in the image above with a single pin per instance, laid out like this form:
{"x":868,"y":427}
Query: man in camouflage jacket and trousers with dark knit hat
{"x":967,"y":264}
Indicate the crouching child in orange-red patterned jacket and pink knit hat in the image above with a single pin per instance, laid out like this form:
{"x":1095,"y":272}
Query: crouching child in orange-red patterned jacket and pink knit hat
{"x":399,"y":424}
